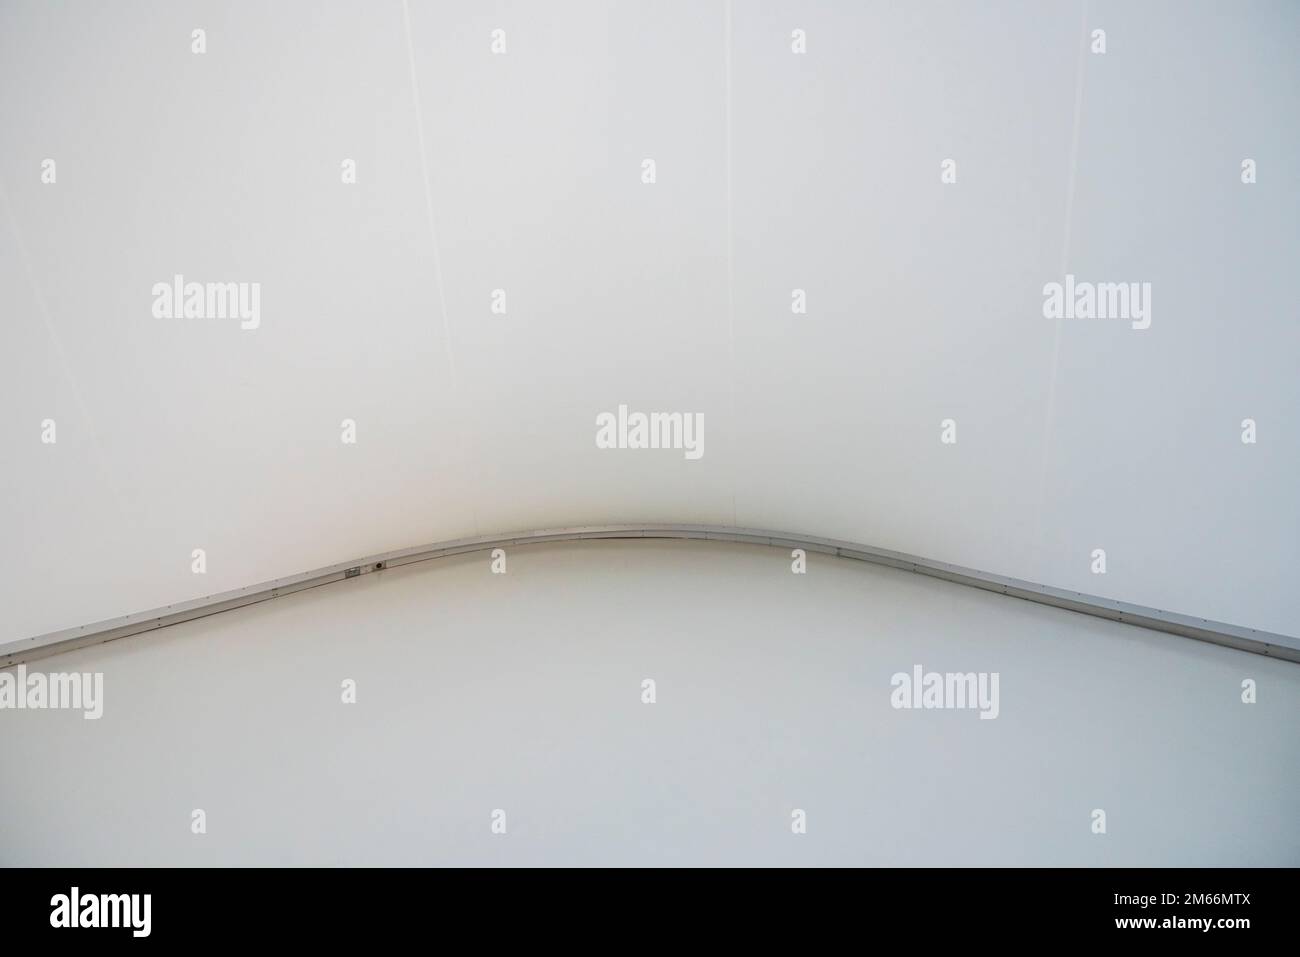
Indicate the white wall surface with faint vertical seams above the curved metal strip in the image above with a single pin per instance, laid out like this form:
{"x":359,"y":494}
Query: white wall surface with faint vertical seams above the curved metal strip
{"x":925,"y":301}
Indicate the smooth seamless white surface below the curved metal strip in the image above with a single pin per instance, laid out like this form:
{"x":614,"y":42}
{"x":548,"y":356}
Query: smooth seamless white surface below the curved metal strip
{"x":522,"y":691}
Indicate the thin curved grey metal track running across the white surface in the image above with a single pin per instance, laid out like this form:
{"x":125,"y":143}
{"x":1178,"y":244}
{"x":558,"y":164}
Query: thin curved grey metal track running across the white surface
{"x":1186,"y":626}
